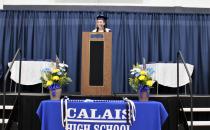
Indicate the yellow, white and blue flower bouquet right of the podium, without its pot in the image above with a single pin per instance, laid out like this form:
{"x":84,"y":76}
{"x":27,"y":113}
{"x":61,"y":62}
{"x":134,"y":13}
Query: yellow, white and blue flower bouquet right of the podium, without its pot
{"x":141,"y":77}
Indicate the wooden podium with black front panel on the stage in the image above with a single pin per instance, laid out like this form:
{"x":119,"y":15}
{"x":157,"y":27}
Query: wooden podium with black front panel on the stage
{"x":96,"y":63}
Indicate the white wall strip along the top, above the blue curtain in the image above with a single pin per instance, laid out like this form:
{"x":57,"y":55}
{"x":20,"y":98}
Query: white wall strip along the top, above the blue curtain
{"x":164,"y":3}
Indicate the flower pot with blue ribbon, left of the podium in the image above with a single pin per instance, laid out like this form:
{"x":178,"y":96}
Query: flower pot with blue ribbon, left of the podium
{"x":55,"y":92}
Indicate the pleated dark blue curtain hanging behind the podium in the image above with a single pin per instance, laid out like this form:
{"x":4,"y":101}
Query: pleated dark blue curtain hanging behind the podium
{"x":155,"y":36}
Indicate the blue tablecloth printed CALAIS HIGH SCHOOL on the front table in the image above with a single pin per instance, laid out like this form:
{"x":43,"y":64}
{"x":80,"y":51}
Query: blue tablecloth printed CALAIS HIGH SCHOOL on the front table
{"x":101,"y":115}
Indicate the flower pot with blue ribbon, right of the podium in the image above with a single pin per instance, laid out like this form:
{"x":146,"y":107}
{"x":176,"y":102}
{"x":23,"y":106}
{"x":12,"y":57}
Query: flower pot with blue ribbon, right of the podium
{"x":143,"y":93}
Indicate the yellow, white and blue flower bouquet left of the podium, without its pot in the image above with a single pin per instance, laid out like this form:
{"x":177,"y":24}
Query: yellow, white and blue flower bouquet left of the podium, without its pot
{"x":55,"y":76}
